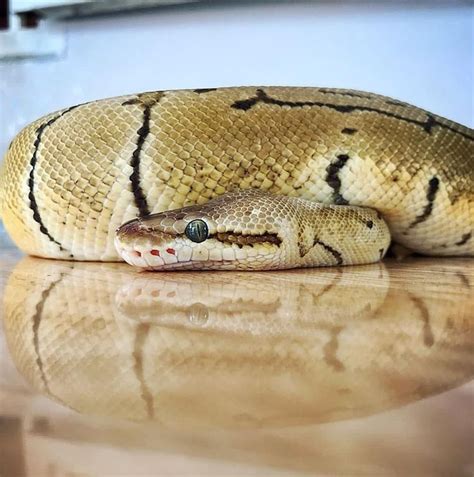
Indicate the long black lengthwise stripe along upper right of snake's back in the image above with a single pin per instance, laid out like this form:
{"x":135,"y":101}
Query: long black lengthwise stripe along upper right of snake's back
{"x":427,"y":125}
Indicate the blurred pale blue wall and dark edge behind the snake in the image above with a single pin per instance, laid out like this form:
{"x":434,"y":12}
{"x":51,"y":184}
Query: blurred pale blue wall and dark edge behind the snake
{"x":56,"y":53}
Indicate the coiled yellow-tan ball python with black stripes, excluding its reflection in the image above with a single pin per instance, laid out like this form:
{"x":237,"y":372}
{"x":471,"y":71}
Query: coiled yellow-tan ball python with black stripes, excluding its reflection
{"x":275,"y":177}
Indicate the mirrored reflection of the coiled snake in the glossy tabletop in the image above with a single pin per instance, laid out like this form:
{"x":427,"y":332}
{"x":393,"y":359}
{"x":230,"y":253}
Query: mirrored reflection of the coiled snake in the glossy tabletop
{"x":238,"y":350}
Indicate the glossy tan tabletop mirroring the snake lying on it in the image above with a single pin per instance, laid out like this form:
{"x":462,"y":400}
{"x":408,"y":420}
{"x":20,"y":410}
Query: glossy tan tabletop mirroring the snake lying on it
{"x":338,"y":371}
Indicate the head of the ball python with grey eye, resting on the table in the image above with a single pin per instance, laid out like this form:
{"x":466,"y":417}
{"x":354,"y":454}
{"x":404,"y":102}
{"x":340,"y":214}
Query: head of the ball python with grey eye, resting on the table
{"x":237,"y":230}
